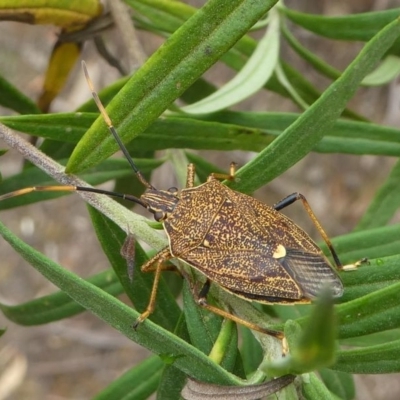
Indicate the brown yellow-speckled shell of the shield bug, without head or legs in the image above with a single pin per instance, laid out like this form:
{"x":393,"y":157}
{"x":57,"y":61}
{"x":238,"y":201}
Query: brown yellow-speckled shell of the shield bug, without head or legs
{"x":231,"y":238}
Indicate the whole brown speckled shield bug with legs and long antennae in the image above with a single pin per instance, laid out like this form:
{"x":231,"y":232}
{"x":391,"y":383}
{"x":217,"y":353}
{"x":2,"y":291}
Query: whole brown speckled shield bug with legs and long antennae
{"x":246,"y":247}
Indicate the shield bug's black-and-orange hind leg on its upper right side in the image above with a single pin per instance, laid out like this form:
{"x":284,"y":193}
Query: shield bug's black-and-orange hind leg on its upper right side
{"x":287,"y":201}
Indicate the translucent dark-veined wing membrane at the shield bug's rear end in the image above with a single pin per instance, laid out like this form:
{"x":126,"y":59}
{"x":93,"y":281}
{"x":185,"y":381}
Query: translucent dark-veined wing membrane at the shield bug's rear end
{"x":311,"y":271}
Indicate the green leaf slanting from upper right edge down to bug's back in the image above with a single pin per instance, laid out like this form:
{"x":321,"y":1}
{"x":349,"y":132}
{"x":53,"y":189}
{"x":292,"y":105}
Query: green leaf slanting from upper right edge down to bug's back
{"x":309,"y":128}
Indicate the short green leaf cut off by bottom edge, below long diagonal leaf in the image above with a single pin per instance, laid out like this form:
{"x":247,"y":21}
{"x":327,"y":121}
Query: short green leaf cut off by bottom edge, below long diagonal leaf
{"x":136,"y":384}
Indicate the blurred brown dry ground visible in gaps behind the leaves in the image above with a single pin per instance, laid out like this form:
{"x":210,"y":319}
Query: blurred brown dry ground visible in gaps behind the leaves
{"x":75,"y":358}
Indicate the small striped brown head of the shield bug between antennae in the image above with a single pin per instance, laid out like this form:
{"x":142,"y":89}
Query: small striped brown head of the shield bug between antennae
{"x":160,"y":202}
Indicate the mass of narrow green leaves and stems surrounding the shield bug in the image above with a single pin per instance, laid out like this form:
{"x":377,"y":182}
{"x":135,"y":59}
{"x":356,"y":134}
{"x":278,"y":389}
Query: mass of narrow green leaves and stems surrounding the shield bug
{"x":189,"y":341}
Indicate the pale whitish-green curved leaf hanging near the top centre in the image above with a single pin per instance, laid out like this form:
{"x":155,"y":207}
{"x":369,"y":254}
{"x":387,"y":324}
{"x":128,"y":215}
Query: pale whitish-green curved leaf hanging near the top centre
{"x":251,"y":78}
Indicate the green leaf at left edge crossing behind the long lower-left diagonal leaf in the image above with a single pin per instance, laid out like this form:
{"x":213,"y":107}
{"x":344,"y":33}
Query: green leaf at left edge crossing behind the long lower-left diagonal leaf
{"x":59,"y":305}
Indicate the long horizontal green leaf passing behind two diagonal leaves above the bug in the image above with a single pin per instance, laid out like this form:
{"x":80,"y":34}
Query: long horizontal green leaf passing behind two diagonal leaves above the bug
{"x":222,"y":131}
